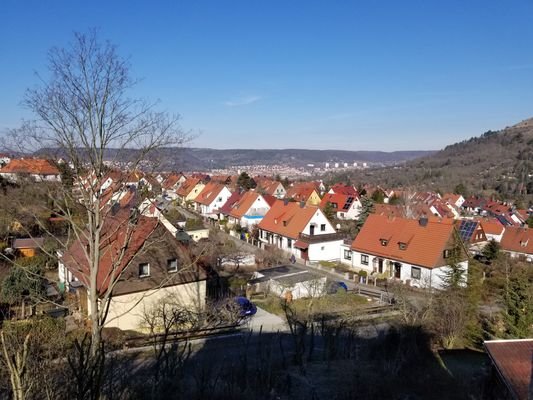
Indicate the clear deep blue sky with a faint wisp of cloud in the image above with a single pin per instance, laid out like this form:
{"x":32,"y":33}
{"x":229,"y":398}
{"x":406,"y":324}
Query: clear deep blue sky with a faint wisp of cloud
{"x":352,"y":75}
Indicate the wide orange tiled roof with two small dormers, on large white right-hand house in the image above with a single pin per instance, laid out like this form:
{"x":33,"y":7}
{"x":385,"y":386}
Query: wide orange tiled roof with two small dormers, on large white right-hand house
{"x":425,"y":244}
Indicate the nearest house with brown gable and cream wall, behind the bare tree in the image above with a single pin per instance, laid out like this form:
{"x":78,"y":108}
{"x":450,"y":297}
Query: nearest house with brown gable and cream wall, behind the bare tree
{"x":153,"y":266}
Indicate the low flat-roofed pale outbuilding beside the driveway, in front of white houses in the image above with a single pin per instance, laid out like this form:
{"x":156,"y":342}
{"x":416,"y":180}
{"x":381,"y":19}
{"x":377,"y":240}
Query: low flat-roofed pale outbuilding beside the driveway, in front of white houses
{"x":288,"y":282}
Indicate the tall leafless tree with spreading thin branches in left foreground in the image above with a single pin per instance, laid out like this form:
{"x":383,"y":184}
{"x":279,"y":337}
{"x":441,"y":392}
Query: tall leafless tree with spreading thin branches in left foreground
{"x":85,"y":113}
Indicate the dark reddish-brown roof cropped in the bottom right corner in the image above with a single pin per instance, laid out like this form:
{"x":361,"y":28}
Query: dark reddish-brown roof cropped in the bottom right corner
{"x":512,"y":359}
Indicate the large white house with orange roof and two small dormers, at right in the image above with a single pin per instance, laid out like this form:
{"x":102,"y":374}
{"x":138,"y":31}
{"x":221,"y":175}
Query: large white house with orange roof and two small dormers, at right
{"x":416,"y":252}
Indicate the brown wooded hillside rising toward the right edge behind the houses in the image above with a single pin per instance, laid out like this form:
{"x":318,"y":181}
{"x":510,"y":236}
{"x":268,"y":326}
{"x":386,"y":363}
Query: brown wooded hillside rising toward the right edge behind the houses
{"x":497,"y":162}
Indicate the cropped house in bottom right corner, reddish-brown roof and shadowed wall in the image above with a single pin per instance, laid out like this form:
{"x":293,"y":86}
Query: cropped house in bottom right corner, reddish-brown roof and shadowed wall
{"x":511,"y":366}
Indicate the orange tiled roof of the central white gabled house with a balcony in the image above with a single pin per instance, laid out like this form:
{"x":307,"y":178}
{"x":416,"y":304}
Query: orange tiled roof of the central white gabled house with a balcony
{"x":287,"y":218}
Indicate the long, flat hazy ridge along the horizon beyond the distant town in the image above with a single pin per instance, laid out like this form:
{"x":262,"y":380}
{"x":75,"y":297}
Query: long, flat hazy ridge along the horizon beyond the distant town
{"x":191,"y":158}
